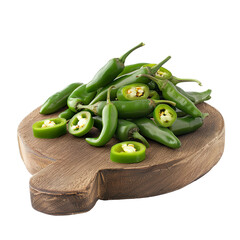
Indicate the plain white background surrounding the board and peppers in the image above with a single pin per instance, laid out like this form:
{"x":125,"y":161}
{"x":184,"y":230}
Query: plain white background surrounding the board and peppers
{"x":46,"y":45}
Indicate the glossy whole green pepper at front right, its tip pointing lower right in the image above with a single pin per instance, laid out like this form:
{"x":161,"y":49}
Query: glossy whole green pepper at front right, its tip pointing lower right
{"x":159,"y":134}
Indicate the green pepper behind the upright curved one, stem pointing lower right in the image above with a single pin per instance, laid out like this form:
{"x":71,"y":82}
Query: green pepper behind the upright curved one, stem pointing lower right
{"x":126,"y":130}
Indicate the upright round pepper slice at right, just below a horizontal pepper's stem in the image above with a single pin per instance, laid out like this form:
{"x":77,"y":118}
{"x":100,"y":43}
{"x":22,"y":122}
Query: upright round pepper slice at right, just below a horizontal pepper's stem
{"x":164,"y":115}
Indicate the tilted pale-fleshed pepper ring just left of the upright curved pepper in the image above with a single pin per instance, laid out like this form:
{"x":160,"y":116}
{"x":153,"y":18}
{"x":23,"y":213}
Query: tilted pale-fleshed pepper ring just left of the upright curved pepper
{"x":80,"y":124}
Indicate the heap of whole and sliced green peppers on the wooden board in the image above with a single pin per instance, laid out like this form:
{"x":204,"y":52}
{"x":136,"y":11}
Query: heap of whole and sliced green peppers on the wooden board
{"x":131,"y":103}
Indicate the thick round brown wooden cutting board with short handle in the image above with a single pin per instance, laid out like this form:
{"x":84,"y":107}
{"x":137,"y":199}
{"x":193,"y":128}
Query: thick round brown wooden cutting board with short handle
{"x":69,"y":175}
